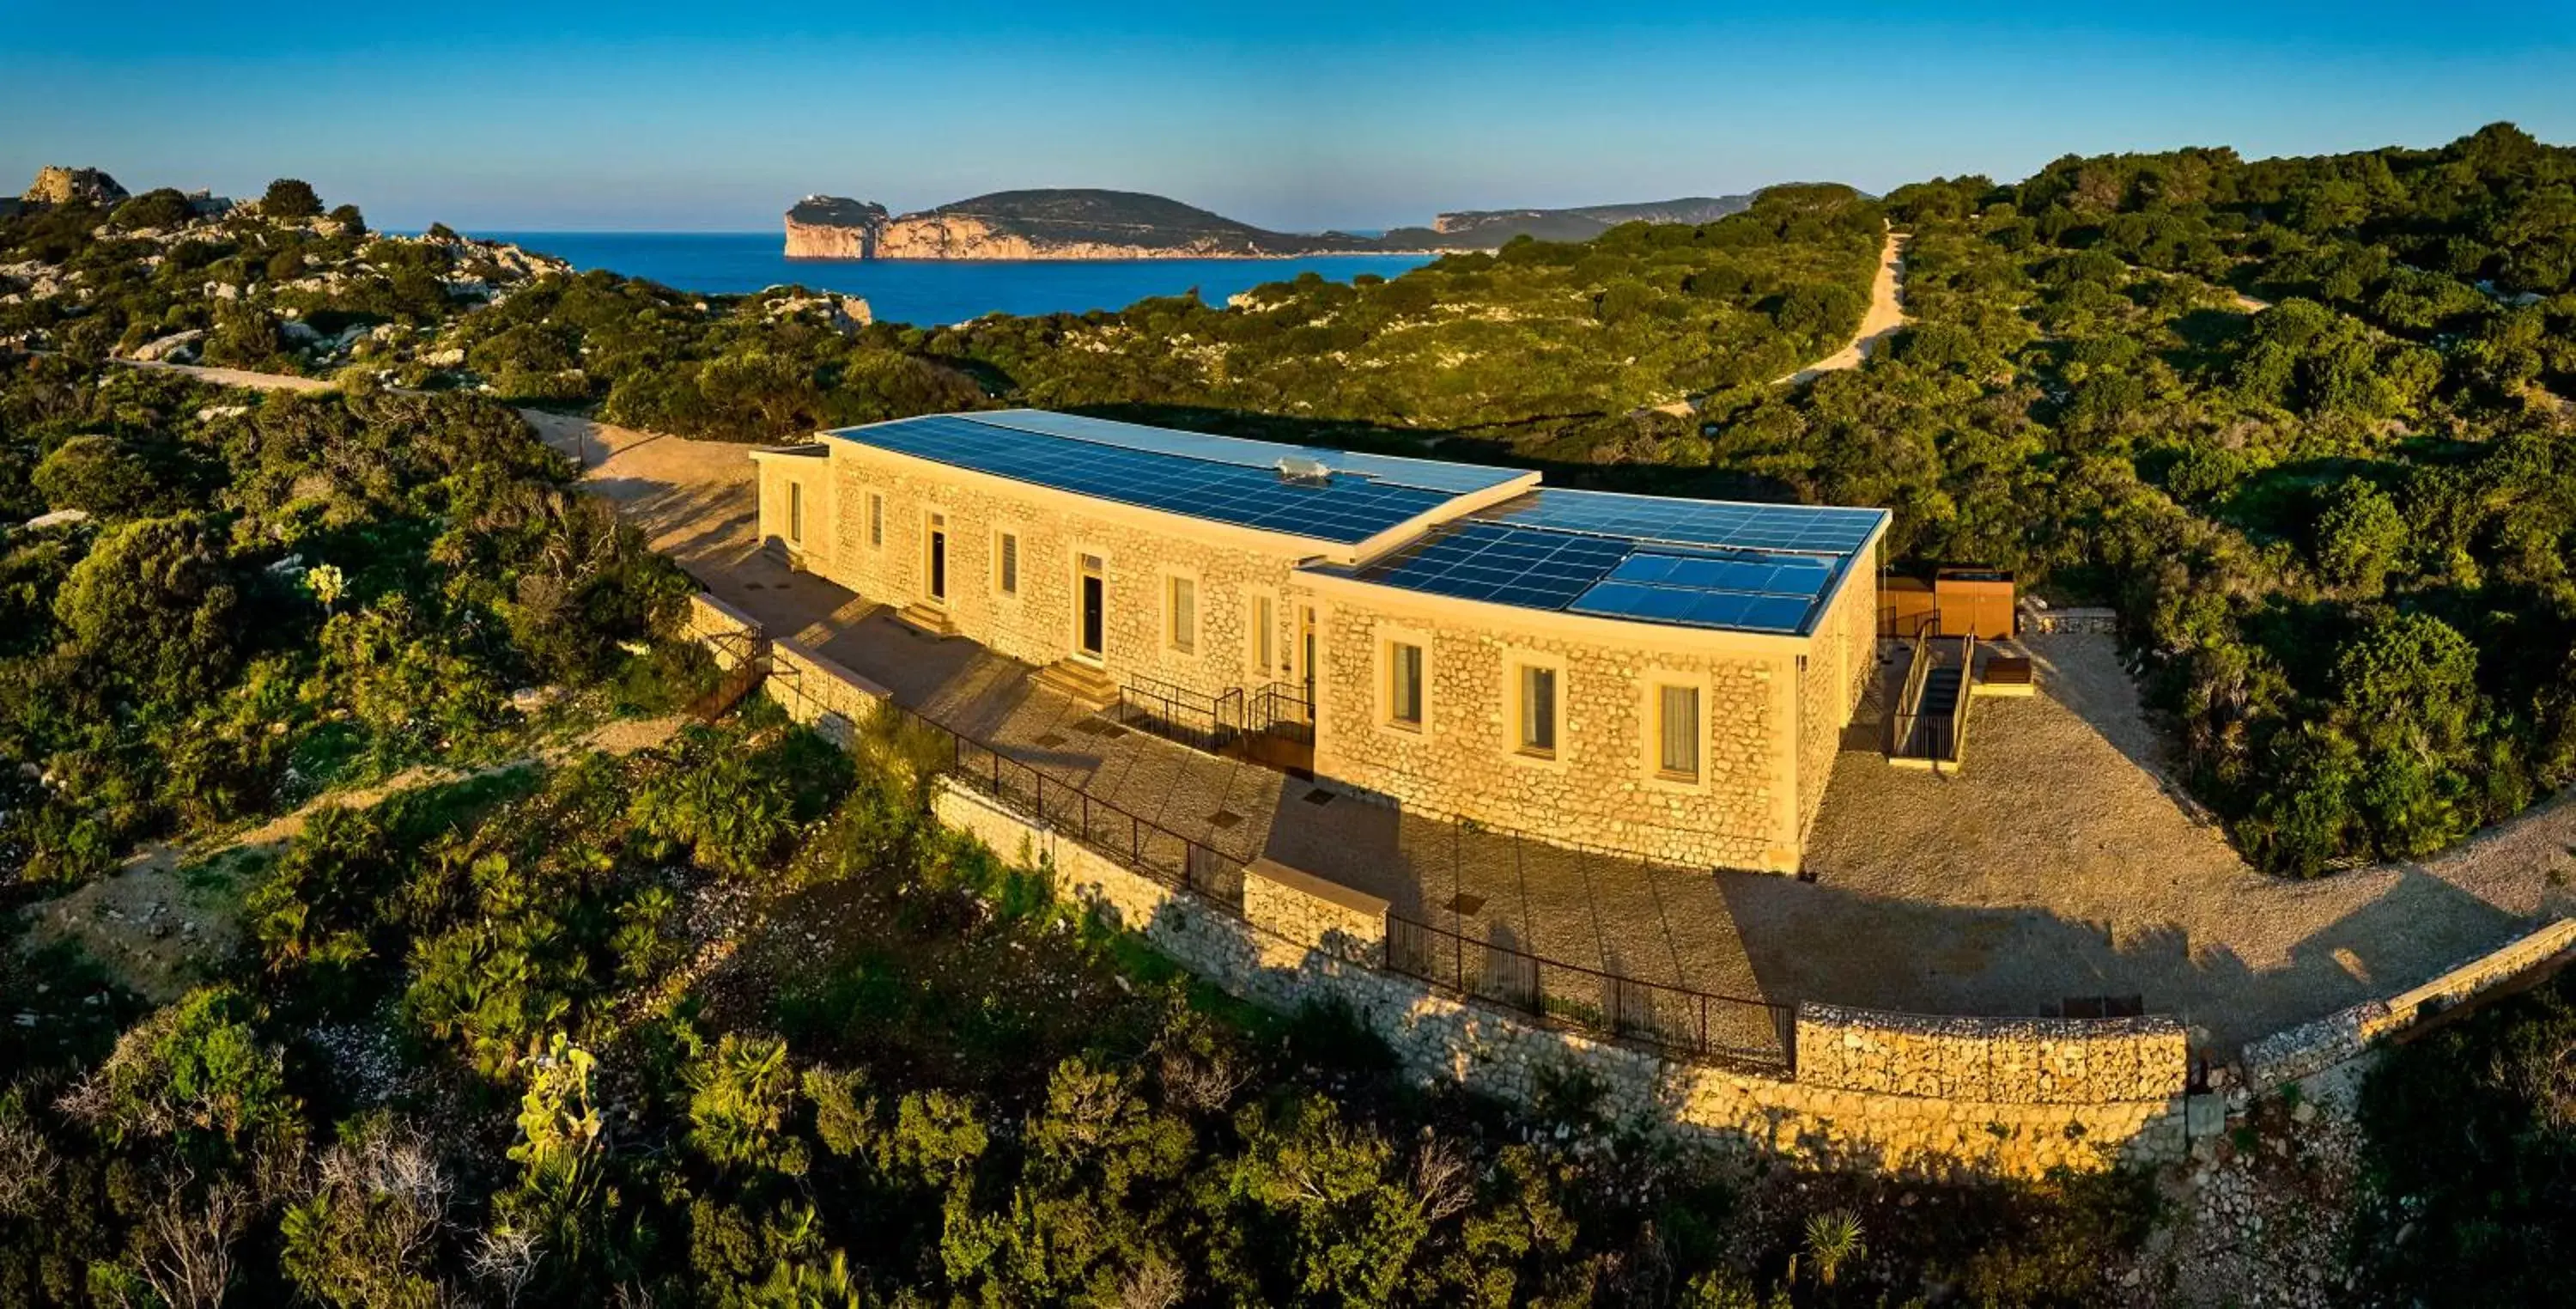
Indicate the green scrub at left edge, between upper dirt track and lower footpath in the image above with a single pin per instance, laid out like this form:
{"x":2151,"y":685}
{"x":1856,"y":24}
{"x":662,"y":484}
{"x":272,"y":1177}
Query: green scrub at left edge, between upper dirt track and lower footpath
{"x":243,"y":602}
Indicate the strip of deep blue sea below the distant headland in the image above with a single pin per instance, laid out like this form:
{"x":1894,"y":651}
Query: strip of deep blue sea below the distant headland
{"x":929,"y":292}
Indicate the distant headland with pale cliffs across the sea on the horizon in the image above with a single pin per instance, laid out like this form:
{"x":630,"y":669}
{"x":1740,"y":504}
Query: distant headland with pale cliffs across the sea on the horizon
{"x":1127,"y":225}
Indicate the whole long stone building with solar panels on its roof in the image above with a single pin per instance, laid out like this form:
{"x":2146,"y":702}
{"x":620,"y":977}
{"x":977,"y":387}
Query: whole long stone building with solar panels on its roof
{"x":1640,"y":674}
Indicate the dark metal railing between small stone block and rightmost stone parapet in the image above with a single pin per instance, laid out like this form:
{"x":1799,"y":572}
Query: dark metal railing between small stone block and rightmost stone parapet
{"x":1727,"y":1029}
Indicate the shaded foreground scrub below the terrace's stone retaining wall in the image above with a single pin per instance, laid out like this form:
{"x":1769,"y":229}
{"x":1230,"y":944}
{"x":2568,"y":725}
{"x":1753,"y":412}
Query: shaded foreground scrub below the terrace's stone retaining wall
{"x":730,"y":1022}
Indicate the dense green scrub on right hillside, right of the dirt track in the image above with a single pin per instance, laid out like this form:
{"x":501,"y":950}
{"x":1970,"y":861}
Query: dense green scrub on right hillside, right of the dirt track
{"x":2302,"y":421}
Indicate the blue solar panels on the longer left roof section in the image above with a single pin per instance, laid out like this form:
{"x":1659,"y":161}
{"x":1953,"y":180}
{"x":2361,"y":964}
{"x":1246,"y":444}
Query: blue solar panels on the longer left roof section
{"x":1343,"y":509}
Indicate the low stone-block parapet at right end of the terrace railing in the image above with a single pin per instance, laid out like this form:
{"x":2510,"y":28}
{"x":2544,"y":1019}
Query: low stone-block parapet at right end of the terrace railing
{"x":1993,"y":1060}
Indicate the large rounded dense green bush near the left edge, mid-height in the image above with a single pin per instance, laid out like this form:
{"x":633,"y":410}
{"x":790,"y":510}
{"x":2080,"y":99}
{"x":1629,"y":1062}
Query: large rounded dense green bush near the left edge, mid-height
{"x":153,"y":607}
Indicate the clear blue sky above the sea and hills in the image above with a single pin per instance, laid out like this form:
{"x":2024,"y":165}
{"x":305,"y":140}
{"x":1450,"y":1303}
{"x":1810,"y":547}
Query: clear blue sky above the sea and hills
{"x":717,"y":115}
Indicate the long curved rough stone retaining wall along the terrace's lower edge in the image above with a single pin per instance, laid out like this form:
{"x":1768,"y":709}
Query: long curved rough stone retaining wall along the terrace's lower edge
{"x":1305,"y":942}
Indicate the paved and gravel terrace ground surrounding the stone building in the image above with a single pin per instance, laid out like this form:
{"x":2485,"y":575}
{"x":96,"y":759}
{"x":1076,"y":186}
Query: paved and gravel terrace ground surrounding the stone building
{"x":2054,"y":867}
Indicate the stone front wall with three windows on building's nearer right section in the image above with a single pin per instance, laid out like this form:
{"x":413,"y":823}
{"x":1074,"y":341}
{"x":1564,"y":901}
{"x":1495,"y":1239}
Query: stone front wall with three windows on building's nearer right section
{"x":1601,"y":787}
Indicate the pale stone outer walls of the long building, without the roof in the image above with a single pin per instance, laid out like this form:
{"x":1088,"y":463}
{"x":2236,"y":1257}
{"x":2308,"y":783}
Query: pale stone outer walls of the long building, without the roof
{"x":1212,"y":609}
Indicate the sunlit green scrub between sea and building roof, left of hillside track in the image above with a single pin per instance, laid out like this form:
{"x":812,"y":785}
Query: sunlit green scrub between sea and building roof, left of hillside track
{"x":1534,"y":336}
